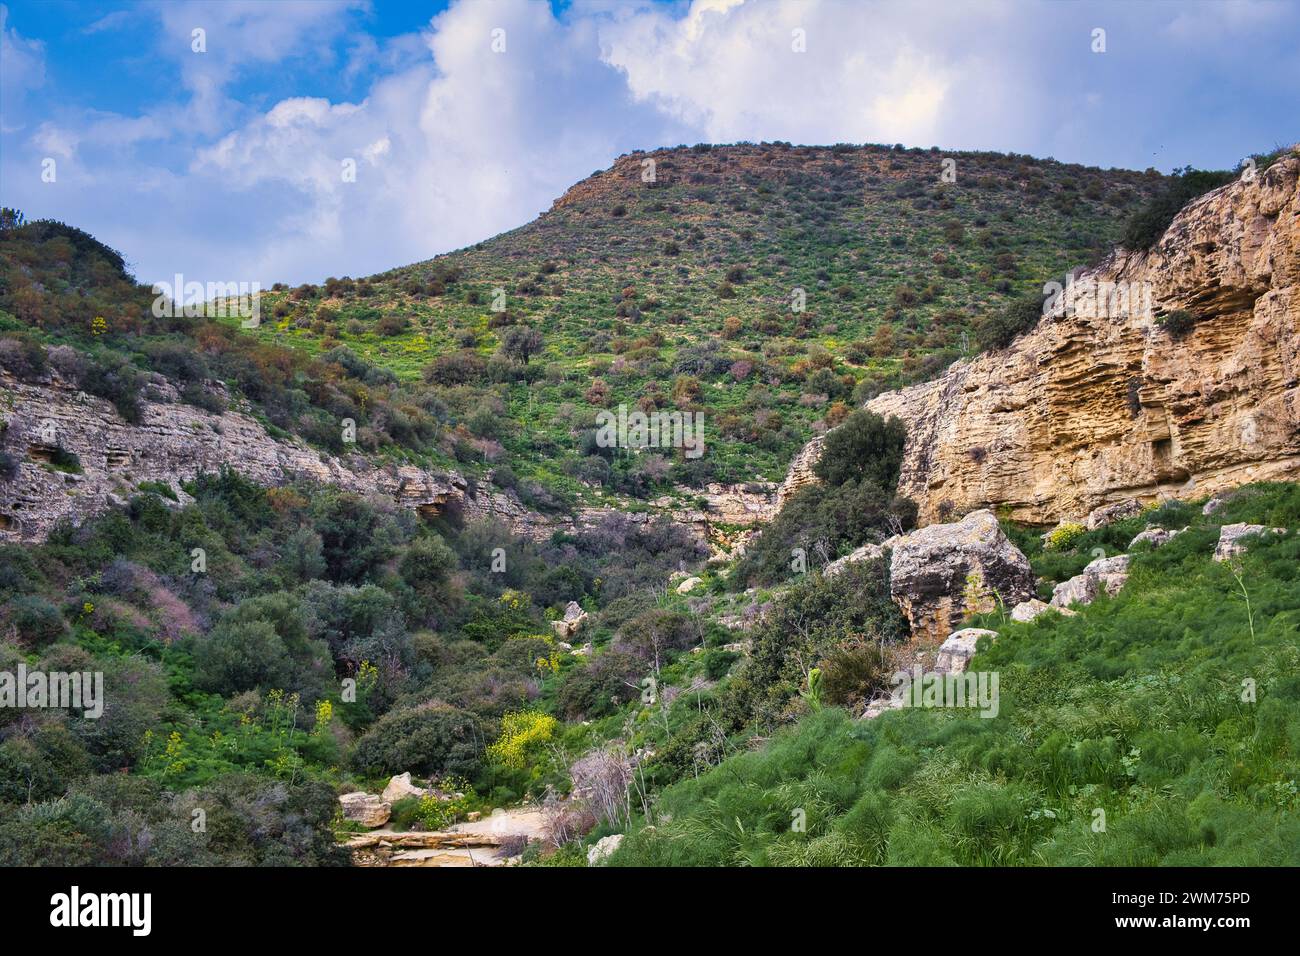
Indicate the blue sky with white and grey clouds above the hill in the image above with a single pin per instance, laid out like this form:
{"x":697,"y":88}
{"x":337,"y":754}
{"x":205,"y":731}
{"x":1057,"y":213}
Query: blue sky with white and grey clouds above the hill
{"x":294,"y":140}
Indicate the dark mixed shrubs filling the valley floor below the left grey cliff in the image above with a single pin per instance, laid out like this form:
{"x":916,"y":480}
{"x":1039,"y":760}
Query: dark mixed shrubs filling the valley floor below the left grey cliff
{"x":227,"y":677}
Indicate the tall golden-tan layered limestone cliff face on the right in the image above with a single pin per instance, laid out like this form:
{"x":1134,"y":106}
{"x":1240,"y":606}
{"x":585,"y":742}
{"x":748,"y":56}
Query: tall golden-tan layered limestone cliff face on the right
{"x":1099,"y":404}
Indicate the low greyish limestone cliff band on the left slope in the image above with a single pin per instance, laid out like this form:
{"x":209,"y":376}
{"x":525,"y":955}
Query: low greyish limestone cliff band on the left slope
{"x":175,"y":443}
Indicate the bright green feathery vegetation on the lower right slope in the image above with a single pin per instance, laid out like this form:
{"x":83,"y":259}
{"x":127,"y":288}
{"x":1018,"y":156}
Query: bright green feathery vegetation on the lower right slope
{"x":1169,"y":713}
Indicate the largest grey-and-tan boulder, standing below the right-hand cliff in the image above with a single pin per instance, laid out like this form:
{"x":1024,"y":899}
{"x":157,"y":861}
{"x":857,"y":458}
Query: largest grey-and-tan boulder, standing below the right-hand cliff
{"x":942,"y":574}
